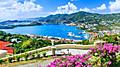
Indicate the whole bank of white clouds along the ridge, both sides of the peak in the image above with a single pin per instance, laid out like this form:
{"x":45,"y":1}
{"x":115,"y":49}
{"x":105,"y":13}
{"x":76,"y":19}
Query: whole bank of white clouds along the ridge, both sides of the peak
{"x":71,"y":8}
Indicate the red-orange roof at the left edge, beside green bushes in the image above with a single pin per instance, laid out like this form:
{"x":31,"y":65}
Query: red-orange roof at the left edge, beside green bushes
{"x":3,"y":46}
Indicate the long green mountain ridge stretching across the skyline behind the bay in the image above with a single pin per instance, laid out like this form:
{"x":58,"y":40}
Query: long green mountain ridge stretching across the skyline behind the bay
{"x":78,"y":17}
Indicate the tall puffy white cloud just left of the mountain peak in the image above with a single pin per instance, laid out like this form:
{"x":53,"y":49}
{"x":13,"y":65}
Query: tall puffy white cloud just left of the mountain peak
{"x":66,"y":9}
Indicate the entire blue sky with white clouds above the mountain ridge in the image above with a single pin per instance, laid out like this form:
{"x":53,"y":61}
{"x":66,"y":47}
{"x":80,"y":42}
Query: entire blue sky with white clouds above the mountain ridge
{"x":20,"y":9}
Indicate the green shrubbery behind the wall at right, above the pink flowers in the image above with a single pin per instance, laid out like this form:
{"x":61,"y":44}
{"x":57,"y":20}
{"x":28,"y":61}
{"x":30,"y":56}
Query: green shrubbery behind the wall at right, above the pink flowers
{"x":114,"y":39}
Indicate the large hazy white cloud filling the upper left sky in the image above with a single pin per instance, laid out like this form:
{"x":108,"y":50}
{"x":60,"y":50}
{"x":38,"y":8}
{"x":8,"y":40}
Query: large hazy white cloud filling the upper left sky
{"x":12,"y":9}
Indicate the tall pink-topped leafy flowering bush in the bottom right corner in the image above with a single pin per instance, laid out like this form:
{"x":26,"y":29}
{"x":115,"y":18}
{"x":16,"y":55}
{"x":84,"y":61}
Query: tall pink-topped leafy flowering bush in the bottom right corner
{"x":105,"y":55}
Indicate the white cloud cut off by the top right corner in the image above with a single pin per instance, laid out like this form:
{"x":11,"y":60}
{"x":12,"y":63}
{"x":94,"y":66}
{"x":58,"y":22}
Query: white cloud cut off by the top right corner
{"x":114,"y":6}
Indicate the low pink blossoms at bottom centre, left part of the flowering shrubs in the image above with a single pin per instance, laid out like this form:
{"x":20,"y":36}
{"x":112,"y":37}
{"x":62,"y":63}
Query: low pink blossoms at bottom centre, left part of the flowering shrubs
{"x":71,"y":61}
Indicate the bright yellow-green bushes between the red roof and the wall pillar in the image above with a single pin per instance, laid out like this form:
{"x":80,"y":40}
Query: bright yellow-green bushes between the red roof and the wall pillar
{"x":30,"y":44}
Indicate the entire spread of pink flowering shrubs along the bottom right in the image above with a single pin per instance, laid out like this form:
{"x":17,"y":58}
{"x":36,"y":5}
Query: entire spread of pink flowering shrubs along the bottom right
{"x":101,"y":56}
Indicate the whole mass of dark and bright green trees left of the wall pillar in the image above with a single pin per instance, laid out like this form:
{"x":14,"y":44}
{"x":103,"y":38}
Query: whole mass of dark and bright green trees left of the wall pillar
{"x":23,"y":43}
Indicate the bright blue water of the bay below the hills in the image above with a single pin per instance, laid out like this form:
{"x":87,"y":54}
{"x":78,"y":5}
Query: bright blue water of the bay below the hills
{"x":50,"y":30}
